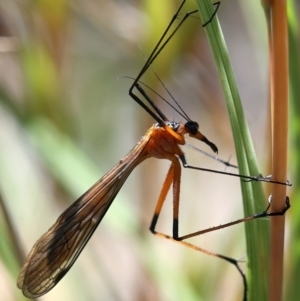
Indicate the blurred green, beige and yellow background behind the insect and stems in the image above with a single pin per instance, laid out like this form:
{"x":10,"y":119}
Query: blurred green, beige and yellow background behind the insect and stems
{"x":66,"y":119}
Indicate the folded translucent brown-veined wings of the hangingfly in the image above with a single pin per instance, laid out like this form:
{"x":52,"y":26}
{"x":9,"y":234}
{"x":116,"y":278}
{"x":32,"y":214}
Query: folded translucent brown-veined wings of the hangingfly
{"x":56,"y":251}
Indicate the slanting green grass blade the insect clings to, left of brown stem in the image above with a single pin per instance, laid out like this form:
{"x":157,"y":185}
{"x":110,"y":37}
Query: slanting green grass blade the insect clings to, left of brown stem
{"x":257,"y":232}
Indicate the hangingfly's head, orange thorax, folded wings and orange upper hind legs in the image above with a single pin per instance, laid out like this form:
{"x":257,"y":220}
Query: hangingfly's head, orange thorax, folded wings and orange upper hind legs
{"x":55,"y":252}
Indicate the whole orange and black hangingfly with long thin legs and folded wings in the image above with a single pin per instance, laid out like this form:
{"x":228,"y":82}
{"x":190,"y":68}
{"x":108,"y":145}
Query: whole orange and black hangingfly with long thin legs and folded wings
{"x":56,"y":251}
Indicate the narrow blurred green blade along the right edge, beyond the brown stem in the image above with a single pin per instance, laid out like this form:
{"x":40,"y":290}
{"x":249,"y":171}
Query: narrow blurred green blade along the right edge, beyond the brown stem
{"x":293,"y":248}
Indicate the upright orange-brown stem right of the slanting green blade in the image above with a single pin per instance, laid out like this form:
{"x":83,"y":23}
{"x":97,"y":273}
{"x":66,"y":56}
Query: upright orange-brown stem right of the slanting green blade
{"x":277,"y":28}
